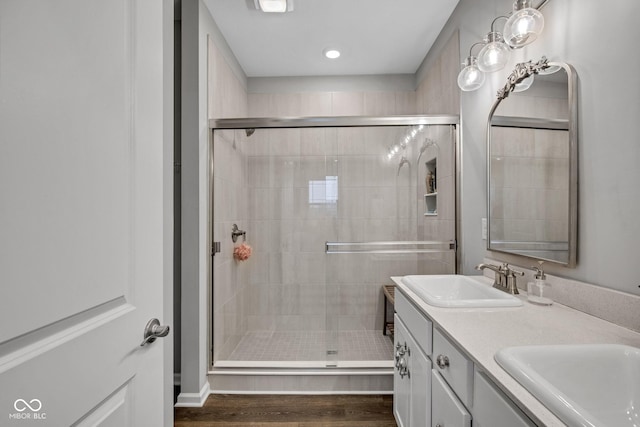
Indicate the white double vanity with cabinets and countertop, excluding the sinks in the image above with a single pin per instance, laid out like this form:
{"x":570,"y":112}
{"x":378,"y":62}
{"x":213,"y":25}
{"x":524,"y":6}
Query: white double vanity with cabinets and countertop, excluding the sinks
{"x":445,"y":372}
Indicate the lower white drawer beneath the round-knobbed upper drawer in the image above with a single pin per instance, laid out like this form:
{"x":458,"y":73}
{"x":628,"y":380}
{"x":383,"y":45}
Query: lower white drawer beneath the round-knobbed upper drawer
{"x":447,"y":411}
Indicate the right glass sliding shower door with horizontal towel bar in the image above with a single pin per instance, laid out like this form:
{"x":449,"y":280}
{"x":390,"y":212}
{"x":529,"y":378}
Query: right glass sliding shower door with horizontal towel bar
{"x":395,"y":216}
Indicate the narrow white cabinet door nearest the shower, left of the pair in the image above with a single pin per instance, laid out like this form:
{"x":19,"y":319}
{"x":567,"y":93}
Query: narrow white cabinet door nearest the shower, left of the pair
{"x":401,"y":384}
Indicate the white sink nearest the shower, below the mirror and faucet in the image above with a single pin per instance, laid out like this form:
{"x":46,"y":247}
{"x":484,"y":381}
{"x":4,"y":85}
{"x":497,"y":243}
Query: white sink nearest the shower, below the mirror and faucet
{"x":452,"y":290}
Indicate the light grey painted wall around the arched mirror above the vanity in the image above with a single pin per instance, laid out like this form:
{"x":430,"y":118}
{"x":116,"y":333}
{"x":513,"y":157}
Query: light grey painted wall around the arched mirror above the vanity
{"x":600,"y":40}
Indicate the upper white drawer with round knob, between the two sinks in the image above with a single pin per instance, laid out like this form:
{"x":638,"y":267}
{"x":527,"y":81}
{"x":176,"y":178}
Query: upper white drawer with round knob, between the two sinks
{"x":454,"y":367}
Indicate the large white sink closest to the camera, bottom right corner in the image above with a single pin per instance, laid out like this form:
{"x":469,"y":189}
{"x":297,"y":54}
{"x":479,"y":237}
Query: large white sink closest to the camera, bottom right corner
{"x":594,"y":385}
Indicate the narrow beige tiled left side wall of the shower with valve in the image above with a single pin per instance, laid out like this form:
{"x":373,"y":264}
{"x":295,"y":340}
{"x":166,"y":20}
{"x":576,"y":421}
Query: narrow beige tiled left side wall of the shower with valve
{"x":227,"y":98}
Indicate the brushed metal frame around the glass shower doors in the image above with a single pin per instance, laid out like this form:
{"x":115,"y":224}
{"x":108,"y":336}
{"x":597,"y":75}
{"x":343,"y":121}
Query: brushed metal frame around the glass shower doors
{"x":246,"y":123}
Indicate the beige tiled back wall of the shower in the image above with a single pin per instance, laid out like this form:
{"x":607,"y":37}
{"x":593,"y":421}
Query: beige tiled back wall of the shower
{"x":375,"y":202}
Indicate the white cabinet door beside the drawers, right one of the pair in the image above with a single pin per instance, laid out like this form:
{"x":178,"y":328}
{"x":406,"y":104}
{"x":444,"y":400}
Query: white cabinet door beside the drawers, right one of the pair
{"x":420,"y":376}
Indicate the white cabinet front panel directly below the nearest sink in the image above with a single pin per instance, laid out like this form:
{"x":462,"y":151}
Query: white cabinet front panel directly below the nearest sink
{"x":491,"y":408}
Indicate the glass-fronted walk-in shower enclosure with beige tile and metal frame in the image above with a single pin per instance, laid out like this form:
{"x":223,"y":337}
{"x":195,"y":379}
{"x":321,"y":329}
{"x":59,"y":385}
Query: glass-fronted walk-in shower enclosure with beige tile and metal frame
{"x":332,"y":208}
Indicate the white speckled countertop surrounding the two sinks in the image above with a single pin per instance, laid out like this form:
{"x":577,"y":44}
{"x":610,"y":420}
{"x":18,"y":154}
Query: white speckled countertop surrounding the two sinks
{"x":481,"y":332}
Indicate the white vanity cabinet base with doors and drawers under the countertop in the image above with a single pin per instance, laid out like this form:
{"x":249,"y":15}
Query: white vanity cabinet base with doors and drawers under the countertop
{"x":436,"y":384}
